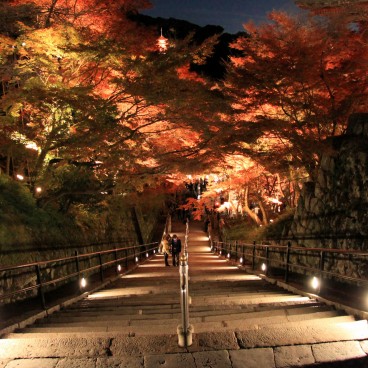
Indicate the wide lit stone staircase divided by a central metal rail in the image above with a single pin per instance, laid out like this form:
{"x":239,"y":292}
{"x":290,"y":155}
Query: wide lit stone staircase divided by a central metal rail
{"x":239,"y":320}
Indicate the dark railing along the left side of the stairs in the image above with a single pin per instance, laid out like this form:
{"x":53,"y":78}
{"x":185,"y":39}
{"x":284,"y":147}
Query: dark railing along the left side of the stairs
{"x":131,"y":253}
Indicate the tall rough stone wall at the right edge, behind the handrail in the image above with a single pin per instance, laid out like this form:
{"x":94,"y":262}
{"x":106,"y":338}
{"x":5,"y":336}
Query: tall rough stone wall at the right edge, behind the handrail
{"x":332,"y":212}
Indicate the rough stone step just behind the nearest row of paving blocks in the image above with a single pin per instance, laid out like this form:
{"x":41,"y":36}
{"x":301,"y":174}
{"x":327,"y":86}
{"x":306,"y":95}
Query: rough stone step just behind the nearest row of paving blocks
{"x":165,"y":343}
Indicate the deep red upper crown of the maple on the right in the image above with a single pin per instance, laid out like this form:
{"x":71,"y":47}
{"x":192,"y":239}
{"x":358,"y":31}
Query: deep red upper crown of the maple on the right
{"x":295,"y":85}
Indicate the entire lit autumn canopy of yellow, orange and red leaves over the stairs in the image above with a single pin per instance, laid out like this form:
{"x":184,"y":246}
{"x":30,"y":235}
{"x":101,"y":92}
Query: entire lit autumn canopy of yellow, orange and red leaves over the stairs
{"x":90,"y":107}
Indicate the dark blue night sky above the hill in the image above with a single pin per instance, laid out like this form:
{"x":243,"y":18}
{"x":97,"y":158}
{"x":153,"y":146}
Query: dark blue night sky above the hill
{"x":230,"y":14}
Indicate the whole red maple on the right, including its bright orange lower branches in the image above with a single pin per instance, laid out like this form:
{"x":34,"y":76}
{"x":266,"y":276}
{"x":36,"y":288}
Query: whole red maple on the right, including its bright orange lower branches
{"x":293,"y":85}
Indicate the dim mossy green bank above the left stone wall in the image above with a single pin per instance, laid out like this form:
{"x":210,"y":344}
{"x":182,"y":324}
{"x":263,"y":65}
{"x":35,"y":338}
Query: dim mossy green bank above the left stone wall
{"x":23,"y":224}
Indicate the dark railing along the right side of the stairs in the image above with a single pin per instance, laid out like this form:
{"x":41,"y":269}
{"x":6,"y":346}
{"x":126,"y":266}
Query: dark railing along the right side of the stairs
{"x":287,"y":257}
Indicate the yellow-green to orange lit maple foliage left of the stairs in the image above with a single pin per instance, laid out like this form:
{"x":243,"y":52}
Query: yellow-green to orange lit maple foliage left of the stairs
{"x":83,"y":86}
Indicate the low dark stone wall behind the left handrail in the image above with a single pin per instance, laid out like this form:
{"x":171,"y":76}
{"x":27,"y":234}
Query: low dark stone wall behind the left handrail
{"x":27,"y":277}
